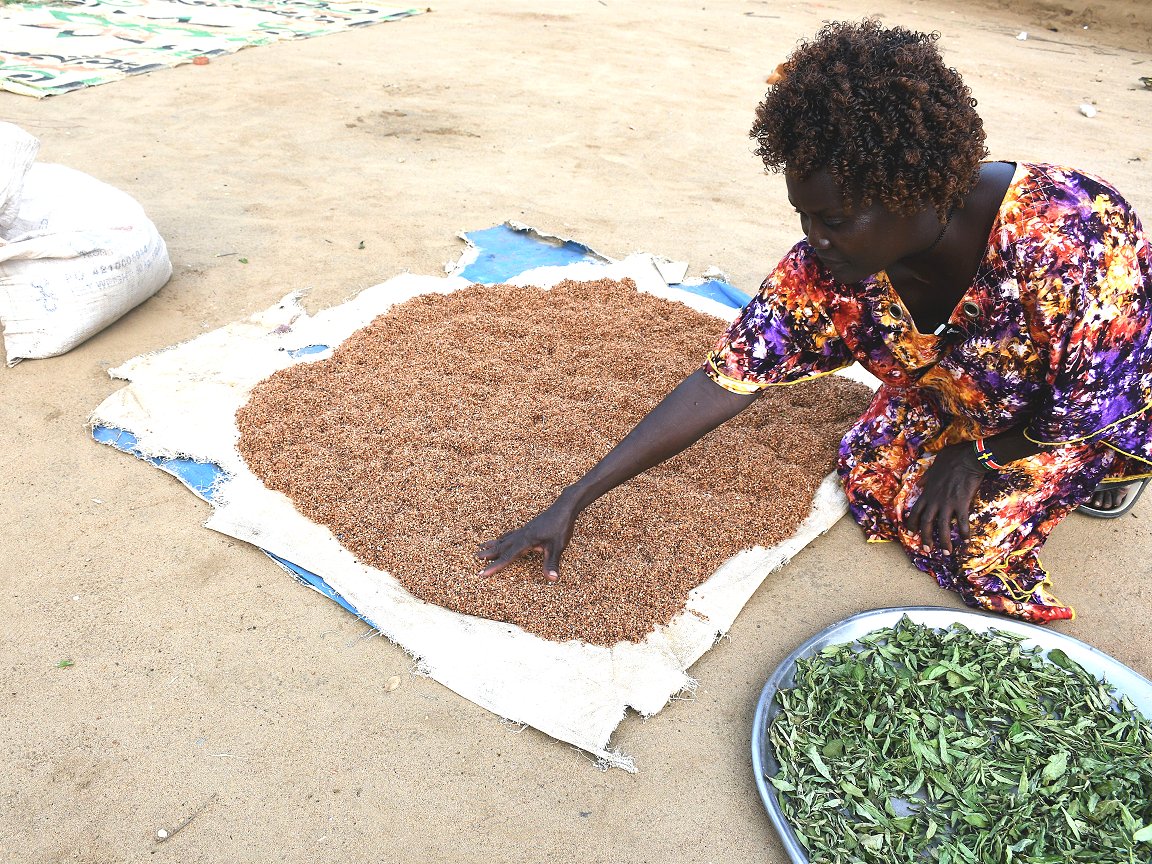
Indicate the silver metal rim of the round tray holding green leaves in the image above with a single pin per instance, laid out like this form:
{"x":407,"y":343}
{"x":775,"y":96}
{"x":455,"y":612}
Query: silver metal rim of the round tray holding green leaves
{"x":1124,"y":680}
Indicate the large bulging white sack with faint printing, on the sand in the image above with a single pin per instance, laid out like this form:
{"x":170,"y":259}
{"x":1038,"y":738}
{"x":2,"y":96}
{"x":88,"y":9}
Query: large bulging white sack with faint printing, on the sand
{"x":77,"y":256}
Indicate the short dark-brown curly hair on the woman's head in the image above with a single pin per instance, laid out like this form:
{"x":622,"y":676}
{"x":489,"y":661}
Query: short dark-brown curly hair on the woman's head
{"x":877,"y":109}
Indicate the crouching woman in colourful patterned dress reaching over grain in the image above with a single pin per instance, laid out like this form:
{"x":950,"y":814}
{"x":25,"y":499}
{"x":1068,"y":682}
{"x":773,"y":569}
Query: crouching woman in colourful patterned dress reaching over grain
{"x":1006,"y":309}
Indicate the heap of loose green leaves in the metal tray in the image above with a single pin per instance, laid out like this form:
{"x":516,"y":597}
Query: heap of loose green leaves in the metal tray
{"x":957,"y":747}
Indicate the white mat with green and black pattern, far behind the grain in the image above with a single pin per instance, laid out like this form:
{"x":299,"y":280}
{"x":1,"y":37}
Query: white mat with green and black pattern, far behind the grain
{"x":55,"y":48}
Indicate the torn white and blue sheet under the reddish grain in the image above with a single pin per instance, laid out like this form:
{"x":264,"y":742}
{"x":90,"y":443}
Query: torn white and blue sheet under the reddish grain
{"x":573,"y":692}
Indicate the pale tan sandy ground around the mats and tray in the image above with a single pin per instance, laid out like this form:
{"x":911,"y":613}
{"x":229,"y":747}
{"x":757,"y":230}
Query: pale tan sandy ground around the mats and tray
{"x":206,"y":681}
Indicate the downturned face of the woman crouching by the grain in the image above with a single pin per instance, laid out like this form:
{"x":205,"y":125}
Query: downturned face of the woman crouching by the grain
{"x":857,"y":244}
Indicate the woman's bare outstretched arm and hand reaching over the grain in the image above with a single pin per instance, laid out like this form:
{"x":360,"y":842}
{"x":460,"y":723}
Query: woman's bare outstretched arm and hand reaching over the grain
{"x":696,"y":407}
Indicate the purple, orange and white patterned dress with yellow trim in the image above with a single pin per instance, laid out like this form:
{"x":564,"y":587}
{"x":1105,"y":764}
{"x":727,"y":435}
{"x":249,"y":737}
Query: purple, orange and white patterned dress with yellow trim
{"x":1055,"y":336}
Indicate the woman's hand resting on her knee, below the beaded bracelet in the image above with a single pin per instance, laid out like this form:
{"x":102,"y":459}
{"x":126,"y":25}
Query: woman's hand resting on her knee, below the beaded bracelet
{"x":948,"y":494}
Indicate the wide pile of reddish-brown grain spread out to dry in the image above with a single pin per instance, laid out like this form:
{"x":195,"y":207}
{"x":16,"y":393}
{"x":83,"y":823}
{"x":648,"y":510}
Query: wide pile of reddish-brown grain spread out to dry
{"x":456,"y":419}
